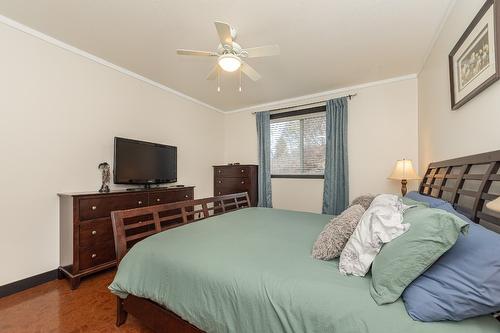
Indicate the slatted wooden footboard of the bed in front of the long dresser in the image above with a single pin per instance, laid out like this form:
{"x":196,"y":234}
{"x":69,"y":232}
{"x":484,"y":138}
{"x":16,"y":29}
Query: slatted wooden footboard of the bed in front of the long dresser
{"x":133,"y":225}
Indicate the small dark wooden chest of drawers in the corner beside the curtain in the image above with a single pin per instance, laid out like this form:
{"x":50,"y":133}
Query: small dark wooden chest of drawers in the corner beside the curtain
{"x":229,"y":179}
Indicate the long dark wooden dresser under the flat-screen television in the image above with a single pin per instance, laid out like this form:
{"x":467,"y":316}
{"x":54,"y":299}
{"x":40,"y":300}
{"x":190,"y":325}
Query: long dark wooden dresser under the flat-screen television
{"x":86,"y":235}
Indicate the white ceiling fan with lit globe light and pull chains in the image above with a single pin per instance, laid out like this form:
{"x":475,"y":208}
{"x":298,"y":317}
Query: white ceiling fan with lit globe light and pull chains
{"x":230,"y":54}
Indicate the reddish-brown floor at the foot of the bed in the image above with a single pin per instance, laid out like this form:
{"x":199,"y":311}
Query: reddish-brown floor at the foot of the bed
{"x":53,"y":307}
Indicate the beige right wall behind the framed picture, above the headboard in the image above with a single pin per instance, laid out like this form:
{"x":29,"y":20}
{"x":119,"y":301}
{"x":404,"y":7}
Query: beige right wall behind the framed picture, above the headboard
{"x":474,"y":128}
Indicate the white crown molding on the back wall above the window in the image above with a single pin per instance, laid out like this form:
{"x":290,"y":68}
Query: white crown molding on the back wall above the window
{"x":319,"y":97}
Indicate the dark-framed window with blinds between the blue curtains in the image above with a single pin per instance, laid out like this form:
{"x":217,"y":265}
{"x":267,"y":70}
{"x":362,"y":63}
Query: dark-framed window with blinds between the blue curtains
{"x":298,"y":143}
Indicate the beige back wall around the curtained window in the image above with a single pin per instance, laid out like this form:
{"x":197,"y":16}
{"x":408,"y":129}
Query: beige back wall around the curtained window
{"x":382,"y":129}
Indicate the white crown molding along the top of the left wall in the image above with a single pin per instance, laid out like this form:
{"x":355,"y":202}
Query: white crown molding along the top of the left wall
{"x":56,"y":42}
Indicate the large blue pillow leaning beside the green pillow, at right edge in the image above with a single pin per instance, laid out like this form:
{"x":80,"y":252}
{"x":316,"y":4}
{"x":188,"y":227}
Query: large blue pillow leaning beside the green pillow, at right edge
{"x":463,"y":283}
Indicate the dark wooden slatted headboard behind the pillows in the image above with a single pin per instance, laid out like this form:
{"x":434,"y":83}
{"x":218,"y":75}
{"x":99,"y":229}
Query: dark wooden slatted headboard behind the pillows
{"x":468,"y":183}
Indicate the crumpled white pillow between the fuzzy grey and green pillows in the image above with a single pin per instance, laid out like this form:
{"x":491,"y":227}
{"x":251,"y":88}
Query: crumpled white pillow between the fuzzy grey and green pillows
{"x":381,"y":223}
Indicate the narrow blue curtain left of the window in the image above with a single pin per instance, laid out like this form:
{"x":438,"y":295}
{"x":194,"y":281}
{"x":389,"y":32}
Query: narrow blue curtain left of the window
{"x":264,"y":140}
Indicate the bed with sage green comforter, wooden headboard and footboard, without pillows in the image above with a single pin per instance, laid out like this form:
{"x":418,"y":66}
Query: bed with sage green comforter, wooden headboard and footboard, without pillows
{"x":250,"y":269}
